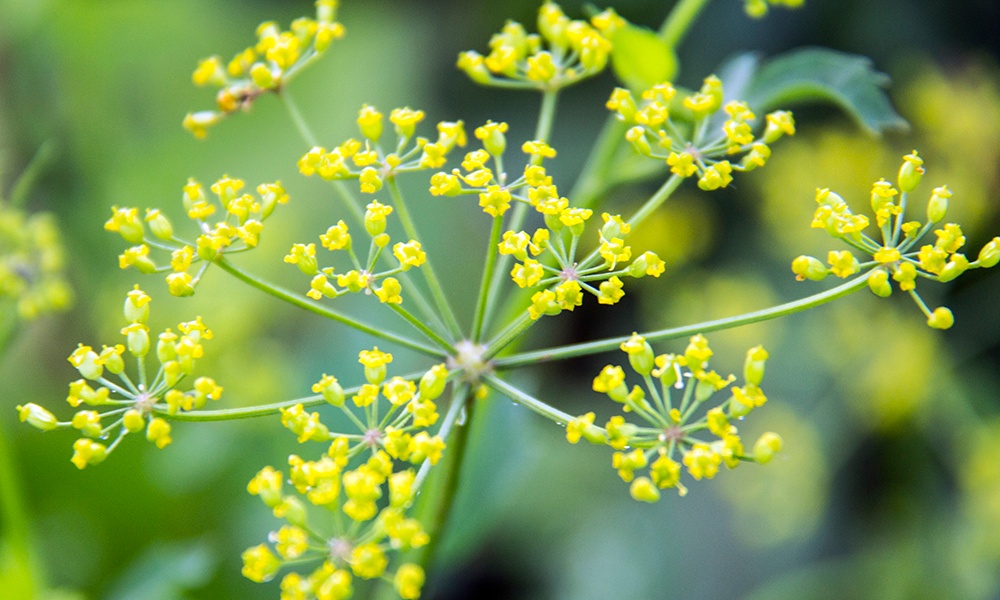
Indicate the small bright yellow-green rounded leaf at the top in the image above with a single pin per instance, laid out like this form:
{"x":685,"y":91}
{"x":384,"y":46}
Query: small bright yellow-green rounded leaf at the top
{"x":640,"y":58}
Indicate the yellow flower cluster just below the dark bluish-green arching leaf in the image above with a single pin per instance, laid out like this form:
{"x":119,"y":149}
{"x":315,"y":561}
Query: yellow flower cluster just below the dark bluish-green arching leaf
{"x":681,"y":135}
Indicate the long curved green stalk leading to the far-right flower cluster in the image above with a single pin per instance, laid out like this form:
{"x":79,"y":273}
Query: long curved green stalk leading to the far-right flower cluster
{"x":596,"y":347}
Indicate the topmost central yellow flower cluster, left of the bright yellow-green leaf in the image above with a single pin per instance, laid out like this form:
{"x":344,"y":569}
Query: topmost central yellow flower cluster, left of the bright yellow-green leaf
{"x":564,"y":52}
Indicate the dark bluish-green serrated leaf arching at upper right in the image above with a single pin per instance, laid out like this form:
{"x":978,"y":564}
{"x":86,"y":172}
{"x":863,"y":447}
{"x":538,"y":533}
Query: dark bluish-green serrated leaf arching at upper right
{"x":809,"y":75}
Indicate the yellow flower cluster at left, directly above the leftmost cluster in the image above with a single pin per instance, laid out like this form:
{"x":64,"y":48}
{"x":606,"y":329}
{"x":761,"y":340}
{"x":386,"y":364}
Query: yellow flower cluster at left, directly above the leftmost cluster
{"x":238,"y":231}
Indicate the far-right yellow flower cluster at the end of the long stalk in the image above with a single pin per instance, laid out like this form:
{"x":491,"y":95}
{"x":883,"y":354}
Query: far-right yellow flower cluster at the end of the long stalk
{"x":895,"y":256}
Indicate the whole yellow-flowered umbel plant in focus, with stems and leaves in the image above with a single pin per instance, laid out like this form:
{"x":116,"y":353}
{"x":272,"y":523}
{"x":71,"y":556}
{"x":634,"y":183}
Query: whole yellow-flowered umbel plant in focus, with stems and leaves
{"x":346,"y":502}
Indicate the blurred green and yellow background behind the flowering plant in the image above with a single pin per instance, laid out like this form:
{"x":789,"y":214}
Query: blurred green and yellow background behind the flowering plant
{"x":888,"y":487}
